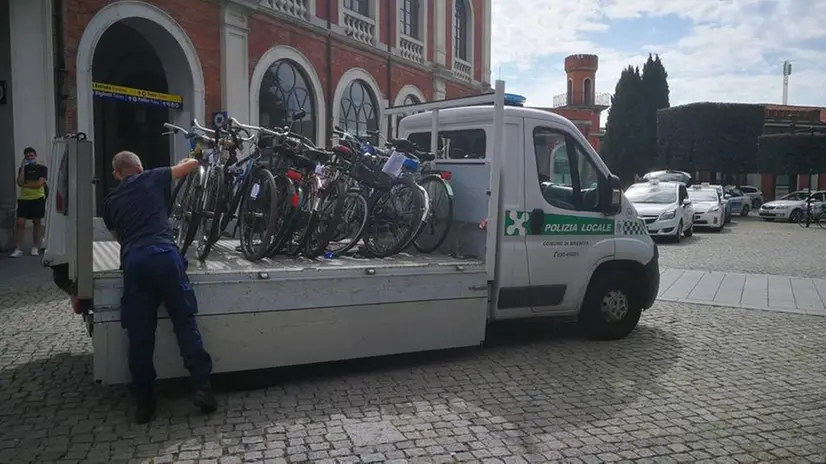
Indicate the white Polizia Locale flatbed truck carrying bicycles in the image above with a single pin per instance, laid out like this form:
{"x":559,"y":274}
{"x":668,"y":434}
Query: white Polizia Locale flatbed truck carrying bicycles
{"x":569,"y":248}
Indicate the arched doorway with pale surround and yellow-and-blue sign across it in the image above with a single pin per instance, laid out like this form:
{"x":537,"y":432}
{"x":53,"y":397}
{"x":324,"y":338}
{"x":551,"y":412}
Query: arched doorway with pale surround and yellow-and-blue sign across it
{"x":138,"y":47}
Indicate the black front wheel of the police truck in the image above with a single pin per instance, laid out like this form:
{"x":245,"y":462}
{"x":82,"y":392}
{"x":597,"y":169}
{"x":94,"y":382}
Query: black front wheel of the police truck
{"x":611,"y":308}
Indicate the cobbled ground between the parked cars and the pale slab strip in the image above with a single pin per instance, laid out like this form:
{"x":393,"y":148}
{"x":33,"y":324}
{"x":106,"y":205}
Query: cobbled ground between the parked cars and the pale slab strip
{"x":753,"y":246}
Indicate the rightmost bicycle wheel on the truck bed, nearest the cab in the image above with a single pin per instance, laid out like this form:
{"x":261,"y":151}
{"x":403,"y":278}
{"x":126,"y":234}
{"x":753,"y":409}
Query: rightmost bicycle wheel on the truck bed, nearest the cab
{"x":437,"y":226}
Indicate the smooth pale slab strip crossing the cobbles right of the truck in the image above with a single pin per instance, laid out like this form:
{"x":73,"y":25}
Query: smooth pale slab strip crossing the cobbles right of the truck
{"x":752,"y":291}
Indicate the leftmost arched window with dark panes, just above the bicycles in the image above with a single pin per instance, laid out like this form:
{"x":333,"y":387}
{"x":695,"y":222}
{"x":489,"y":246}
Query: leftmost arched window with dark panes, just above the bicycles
{"x":285,"y":91}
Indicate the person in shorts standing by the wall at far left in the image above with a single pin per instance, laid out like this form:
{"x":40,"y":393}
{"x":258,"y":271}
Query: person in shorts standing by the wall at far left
{"x":31,"y":204}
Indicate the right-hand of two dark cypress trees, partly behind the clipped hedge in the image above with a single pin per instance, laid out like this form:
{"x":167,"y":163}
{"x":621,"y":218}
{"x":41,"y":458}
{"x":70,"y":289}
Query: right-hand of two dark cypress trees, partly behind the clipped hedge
{"x":656,"y":96}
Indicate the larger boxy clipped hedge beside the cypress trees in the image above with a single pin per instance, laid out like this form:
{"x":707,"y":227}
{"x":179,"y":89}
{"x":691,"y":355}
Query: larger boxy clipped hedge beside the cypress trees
{"x":719,"y":137}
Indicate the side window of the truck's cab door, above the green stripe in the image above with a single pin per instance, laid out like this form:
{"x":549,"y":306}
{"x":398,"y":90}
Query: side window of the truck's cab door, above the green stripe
{"x":568,"y":178}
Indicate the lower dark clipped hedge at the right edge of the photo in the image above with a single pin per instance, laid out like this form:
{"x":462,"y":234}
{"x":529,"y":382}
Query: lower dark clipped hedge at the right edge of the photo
{"x":792,"y":153}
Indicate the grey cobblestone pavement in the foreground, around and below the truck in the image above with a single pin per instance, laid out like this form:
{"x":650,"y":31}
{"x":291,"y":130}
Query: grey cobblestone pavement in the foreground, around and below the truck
{"x":692,"y":384}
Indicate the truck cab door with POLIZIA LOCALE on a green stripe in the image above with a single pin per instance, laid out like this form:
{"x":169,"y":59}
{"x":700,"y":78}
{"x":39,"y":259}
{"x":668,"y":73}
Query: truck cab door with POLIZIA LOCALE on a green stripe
{"x":568,"y":234}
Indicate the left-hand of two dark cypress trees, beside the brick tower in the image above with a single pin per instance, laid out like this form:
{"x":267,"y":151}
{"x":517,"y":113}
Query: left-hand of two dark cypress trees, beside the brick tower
{"x":624,"y":146}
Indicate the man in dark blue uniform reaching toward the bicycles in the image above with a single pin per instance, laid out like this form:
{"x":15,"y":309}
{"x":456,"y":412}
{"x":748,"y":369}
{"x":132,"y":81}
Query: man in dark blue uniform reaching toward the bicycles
{"x":154,"y":272}
